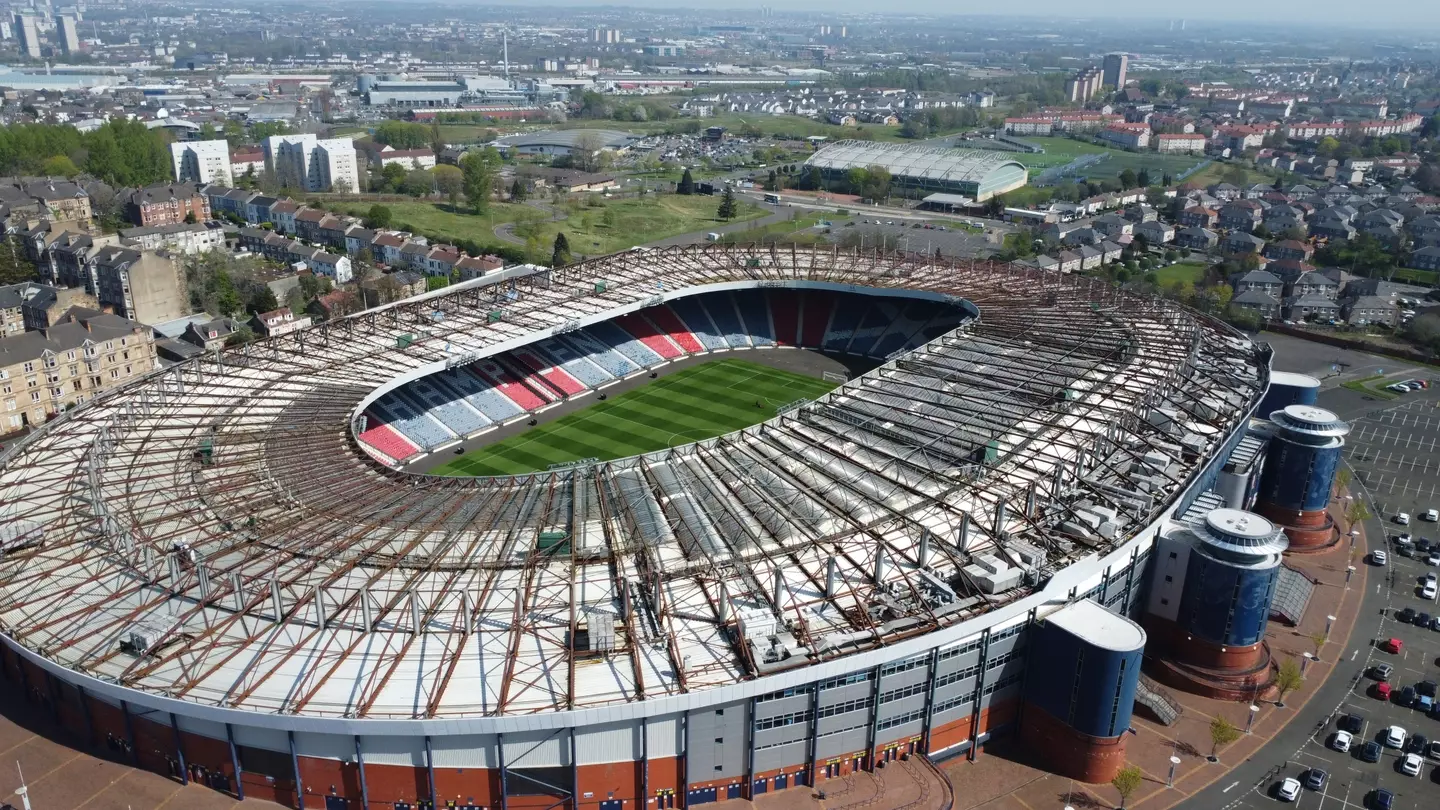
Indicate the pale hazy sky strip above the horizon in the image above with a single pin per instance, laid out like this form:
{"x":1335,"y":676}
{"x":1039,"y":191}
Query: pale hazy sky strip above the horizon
{"x":1419,"y":18}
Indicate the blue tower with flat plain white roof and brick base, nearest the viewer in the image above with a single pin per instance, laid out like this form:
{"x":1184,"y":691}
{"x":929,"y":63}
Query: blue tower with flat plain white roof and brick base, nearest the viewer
{"x":1082,"y":674}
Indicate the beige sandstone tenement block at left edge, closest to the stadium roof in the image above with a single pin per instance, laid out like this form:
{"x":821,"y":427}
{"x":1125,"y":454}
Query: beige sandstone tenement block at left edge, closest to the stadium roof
{"x":81,"y":355}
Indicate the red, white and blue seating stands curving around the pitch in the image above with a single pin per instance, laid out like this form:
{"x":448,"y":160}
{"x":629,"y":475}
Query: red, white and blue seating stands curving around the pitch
{"x":463,"y":401}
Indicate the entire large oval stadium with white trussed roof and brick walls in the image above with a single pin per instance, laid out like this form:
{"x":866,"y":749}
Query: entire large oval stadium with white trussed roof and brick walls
{"x":318,"y":570}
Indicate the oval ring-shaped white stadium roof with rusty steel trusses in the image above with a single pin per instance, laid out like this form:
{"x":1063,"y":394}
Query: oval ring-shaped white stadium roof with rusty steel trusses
{"x":214,"y":534}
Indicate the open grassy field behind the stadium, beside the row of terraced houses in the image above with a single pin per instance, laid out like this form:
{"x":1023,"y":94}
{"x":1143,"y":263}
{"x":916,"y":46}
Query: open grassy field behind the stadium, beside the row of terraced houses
{"x":608,"y":227}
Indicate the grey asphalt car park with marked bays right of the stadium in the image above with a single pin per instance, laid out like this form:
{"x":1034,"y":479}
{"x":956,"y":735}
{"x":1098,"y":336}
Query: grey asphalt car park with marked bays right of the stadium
{"x":1395,"y":452}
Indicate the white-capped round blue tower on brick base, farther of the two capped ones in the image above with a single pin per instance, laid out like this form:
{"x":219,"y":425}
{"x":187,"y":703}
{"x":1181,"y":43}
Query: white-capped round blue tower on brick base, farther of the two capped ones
{"x":1300,"y":473}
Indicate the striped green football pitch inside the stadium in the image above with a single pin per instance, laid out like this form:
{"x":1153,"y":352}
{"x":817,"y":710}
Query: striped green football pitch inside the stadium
{"x":692,"y":406}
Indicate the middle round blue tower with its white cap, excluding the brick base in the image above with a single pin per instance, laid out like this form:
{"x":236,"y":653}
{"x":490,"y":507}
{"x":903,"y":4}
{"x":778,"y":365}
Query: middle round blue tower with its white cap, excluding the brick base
{"x":1230,"y":579}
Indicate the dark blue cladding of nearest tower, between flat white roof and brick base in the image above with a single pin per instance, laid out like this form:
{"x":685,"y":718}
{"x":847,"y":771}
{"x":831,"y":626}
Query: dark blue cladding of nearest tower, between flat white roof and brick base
{"x":1088,"y":688}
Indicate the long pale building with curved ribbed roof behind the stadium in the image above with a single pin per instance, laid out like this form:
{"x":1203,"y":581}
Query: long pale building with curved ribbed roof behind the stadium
{"x":978,"y":175}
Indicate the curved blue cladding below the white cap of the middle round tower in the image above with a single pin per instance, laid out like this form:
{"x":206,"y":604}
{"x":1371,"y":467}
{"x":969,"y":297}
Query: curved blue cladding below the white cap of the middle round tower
{"x":1226,"y":605}
